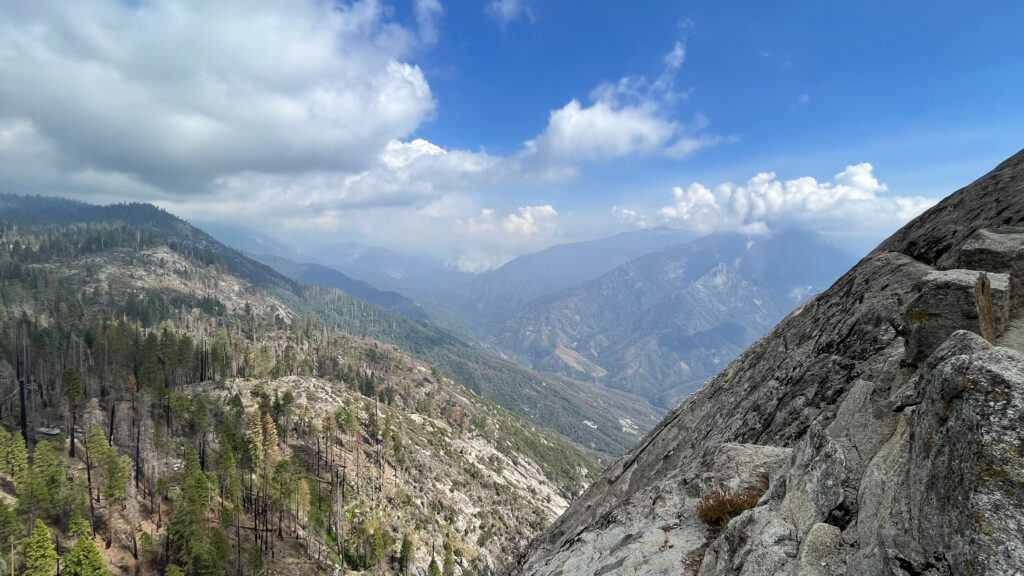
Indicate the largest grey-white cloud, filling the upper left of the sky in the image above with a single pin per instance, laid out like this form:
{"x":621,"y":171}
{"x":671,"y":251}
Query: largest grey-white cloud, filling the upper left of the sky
{"x":177,"y":94}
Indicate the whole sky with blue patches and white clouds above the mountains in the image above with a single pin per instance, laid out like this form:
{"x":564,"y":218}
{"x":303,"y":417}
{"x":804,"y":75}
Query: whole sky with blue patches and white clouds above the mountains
{"x":480,"y":131}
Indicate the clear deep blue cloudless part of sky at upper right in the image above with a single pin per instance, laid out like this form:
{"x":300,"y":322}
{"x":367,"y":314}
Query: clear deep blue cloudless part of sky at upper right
{"x":931,"y":93}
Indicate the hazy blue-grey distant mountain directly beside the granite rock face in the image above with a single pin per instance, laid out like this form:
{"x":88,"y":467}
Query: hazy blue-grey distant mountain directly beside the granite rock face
{"x":662,"y":324}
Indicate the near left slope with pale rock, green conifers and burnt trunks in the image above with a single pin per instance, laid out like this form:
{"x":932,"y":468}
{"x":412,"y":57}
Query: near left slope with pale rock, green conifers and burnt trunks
{"x":220,"y":430}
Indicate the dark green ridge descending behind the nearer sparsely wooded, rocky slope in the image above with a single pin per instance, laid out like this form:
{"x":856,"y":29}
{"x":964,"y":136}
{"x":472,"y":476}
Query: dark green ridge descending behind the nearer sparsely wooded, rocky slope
{"x":587,"y":414}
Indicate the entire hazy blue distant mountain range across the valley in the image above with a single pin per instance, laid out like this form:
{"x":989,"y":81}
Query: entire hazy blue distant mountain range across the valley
{"x":655,"y":313}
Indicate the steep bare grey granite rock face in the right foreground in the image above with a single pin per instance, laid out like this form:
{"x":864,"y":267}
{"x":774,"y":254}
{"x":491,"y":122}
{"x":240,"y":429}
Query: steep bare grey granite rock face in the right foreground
{"x":886,"y":448}
